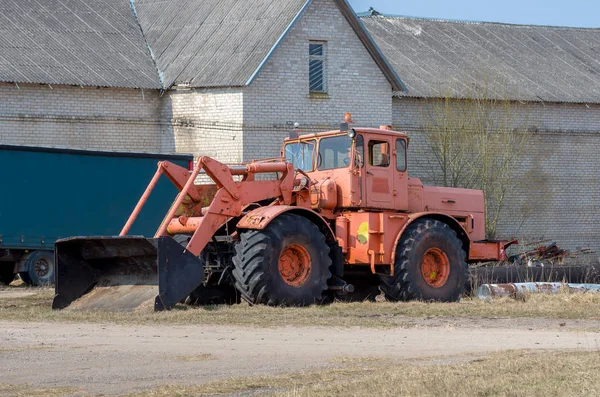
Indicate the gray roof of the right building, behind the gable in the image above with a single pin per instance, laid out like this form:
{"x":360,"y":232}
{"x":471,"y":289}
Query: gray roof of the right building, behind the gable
{"x":519,"y":62}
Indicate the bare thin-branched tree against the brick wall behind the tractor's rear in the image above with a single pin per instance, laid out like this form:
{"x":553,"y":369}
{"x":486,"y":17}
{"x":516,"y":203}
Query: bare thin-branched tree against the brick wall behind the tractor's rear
{"x":475,"y":142}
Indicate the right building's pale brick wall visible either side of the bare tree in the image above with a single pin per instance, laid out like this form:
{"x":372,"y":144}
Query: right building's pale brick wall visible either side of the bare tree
{"x":556,"y":189}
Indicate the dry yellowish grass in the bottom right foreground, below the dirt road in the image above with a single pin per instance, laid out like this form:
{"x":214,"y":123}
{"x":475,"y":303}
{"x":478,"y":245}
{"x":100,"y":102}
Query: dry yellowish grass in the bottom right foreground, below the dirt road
{"x":511,"y":373}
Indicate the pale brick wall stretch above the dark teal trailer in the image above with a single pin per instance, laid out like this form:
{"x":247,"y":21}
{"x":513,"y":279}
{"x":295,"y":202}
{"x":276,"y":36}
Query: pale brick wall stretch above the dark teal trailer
{"x":82,"y":118}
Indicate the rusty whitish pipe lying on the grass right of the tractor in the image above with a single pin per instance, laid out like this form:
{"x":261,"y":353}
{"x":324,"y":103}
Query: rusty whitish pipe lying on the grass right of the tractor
{"x":517,"y":290}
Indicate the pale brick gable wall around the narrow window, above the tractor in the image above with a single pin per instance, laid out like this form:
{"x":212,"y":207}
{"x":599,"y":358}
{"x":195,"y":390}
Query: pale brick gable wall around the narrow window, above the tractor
{"x":280,"y":94}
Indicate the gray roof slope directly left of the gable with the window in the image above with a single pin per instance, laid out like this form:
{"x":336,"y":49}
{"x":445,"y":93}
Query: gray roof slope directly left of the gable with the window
{"x":213,"y":43}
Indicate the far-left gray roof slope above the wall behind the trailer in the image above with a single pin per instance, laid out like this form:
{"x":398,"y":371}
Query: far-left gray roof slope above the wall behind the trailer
{"x":75,"y":42}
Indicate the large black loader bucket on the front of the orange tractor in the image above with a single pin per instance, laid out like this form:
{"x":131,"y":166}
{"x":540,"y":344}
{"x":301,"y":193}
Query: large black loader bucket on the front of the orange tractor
{"x":123,"y":273}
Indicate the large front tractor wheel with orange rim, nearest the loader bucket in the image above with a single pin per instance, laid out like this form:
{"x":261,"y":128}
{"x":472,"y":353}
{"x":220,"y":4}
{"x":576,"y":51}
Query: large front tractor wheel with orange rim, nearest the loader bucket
{"x":286,"y":263}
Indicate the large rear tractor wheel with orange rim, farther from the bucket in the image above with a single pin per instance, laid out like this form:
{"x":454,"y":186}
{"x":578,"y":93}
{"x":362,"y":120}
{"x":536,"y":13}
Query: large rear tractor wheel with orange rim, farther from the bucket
{"x":429,"y":265}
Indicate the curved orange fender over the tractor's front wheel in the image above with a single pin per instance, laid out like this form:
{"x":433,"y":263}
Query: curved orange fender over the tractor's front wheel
{"x":259,"y":218}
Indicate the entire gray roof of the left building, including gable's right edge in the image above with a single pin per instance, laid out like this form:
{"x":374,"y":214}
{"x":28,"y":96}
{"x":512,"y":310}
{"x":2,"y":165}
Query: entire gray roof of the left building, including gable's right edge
{"x":151,"y":43}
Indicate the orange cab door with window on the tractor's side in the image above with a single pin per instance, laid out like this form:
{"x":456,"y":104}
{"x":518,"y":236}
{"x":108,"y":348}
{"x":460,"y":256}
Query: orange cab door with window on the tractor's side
{"x":379,"y":173}
